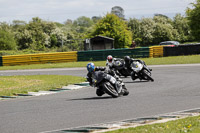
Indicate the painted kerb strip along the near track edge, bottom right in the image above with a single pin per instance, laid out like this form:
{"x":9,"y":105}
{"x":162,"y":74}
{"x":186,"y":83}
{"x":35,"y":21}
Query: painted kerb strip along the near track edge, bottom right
{"x":99,"y":128}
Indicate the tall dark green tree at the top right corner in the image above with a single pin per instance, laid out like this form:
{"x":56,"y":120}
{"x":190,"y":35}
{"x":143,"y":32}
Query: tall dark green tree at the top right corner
{"x":193,"y":15}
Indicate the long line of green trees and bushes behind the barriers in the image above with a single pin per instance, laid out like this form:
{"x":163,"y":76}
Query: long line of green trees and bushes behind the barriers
{"x":44,"y":35}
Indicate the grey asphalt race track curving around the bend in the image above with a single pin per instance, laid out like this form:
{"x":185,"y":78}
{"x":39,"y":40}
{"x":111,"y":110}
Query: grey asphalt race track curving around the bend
{"x":176,"y":88}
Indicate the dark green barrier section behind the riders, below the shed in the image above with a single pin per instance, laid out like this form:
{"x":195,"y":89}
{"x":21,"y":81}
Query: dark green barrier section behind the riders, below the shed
{"x":100,"y":55}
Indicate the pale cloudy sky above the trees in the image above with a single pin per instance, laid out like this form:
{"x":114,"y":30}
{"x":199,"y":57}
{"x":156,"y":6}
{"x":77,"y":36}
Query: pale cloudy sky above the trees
{"x":61,"y":10}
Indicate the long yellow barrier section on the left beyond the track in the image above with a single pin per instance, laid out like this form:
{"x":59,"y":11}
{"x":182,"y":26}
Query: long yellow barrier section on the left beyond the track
{"x":39,"y":58}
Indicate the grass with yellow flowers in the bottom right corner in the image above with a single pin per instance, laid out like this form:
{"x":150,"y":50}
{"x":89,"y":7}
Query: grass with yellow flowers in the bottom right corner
{"x":186,"y":125}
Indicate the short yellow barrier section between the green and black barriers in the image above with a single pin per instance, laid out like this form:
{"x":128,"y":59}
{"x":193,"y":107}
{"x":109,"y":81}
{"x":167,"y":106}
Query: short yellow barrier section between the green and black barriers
{"x":156,"y":51}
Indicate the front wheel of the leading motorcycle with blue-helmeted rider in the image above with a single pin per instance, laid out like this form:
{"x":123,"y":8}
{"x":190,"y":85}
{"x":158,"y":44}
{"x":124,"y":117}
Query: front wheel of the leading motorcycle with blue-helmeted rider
{"x":110,"y":90}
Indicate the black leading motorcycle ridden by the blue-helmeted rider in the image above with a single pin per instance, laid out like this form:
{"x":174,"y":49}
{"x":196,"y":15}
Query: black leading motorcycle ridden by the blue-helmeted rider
{"x":107,"y":87}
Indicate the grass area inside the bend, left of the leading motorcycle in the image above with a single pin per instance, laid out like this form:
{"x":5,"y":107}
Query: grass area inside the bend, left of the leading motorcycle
{"x":11,"y":85}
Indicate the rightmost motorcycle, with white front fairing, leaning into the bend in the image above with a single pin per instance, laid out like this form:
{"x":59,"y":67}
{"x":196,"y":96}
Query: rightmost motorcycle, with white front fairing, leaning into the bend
{"x":140,"y":71}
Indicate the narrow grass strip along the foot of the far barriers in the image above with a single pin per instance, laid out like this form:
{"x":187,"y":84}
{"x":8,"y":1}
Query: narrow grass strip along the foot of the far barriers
{"x":149,"y":61}
